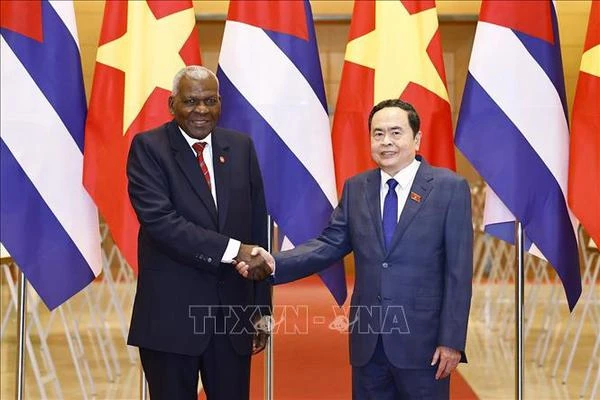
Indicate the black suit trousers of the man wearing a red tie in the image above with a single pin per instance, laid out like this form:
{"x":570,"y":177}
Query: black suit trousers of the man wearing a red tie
{"x":225,"y":373}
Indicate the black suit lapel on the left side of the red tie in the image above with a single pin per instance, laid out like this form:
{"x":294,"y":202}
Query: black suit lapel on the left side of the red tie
{"x":186,"y":159}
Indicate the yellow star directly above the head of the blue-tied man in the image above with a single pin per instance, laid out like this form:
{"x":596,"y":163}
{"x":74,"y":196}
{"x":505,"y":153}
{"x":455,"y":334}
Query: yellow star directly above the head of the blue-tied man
{"x":397,"y":51}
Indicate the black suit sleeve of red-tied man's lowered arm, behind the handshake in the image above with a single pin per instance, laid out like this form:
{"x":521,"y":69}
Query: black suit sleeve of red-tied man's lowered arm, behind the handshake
{"x":262,"y":289}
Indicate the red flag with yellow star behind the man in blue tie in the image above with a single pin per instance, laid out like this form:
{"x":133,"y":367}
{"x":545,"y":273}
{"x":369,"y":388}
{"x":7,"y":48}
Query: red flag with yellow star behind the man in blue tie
{"x":394,"y":51}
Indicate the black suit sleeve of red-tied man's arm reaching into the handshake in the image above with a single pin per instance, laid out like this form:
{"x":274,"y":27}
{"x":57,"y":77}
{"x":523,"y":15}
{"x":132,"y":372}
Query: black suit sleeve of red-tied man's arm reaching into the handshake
{"x":150,"y":197}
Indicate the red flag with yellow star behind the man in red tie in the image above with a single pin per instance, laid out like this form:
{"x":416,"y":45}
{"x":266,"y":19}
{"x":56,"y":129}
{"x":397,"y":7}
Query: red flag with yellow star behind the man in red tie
{"x":142,"y":46}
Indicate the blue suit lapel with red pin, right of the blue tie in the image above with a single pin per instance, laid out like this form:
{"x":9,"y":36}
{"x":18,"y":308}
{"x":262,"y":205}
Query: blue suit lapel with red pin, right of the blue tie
{"x":421,"y":187}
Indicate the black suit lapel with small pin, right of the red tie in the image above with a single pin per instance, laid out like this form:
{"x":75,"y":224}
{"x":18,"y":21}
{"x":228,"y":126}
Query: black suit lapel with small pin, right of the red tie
{"x":221,"y":165}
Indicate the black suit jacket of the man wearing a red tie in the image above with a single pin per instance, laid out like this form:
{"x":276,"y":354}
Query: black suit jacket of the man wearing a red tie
{"x":182,"y":238}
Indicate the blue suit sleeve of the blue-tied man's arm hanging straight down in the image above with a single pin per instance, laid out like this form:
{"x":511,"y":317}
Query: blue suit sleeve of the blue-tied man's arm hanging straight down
{"x":458,"y":270}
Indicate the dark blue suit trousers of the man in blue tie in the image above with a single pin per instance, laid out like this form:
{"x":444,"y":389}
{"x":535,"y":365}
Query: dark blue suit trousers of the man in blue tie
{"x":380,"y":380}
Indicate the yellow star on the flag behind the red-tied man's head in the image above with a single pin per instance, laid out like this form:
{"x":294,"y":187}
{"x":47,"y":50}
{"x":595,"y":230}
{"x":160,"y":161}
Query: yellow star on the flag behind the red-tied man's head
{"x":148,"y":53}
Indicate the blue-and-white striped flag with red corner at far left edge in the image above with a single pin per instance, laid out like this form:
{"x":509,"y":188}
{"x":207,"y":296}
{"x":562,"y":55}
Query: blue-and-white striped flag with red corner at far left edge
{"x":49,"y":223}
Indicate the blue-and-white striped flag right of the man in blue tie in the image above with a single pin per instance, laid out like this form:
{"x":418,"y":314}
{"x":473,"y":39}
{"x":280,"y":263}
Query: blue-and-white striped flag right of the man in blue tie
{"x":513,"y":128}
